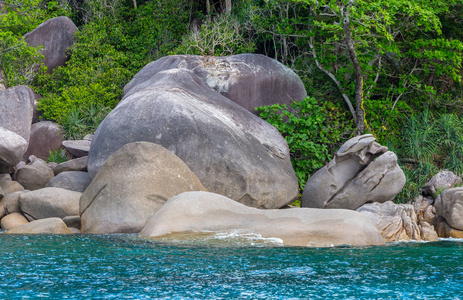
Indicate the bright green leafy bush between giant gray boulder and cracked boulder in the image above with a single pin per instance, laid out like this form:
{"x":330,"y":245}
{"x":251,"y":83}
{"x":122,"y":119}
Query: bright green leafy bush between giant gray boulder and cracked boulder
{"x":313,"y":132}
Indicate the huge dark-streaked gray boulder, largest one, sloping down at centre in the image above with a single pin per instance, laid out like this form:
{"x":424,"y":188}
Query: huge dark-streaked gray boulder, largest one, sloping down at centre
{"x":233,"y":152}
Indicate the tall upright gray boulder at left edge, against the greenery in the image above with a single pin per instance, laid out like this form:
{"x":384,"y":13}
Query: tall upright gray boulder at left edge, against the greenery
{"x":16,"y":107}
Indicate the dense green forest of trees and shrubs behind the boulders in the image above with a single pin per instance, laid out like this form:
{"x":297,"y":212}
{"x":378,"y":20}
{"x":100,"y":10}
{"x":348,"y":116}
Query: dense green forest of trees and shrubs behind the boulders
{"x":389,"y":68}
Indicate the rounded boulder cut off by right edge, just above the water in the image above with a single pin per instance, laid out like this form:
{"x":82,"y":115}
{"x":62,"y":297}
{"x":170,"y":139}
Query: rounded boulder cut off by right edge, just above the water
{"x":449,"y":206}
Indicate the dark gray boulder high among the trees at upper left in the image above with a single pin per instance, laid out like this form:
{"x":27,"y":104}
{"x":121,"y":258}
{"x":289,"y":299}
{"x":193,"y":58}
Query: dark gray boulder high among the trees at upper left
{"x":55,"y":35}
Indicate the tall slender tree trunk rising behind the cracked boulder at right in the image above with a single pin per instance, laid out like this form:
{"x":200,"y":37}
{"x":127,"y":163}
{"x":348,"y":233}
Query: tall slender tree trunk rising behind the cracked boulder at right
{"x":359,"y":111}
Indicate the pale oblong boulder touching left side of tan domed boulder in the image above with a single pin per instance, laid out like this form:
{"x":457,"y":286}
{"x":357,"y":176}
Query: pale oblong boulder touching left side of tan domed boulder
{"x":49,"y":202}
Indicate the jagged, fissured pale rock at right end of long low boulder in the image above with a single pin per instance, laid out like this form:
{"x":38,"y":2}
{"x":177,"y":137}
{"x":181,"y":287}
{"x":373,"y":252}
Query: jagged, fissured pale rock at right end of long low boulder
{"x":397,"y":222}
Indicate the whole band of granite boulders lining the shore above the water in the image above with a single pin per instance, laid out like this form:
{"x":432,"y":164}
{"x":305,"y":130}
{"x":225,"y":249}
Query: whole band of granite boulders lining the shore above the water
{"x":183,"y":151}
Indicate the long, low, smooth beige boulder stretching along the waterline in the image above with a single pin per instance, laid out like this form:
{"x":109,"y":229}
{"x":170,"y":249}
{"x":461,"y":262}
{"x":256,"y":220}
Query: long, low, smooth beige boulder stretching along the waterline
{"x":202,"y":211}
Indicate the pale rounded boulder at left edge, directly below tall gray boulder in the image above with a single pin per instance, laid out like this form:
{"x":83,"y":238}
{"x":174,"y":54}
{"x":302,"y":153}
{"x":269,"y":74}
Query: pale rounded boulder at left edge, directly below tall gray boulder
{"x":12,"y":148}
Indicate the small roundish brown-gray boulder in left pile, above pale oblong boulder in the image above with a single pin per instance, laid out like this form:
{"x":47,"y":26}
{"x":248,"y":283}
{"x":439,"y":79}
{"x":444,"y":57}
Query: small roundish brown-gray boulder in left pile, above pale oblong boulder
{"x":35,"y":175}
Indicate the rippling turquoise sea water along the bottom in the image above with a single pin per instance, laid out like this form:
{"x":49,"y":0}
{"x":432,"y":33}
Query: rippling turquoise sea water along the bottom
{"x":223,"y":267}
